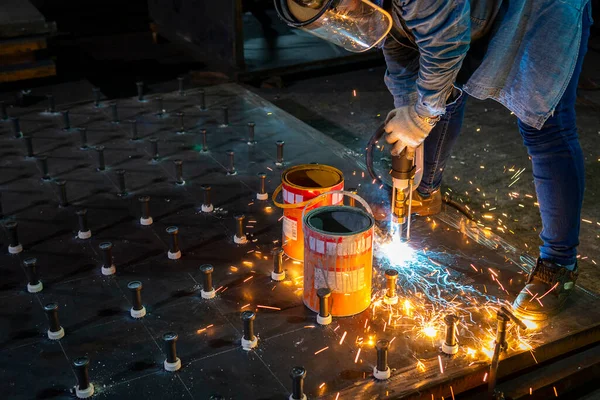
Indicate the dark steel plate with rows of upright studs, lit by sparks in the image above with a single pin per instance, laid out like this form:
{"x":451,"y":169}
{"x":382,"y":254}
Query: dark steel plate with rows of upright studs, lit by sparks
{"x":450,"y":266}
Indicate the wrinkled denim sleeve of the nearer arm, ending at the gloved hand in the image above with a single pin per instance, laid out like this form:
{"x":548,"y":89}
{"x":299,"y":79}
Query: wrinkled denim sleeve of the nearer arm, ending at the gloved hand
{"x":442,"y":31}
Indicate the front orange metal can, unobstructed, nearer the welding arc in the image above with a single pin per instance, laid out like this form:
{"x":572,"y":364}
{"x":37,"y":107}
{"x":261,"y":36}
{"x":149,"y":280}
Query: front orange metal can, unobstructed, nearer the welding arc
{"x":338,"y":254}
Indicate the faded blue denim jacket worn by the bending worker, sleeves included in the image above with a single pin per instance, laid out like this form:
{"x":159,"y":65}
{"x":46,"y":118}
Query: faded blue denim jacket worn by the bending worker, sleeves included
{"x":526,"y":52}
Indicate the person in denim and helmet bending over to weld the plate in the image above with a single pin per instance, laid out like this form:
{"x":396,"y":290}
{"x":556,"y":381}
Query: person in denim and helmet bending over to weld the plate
{"x":527,"y":55}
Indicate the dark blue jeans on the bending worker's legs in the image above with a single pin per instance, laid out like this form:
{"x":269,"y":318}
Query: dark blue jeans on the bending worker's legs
{"x":556,"y":158}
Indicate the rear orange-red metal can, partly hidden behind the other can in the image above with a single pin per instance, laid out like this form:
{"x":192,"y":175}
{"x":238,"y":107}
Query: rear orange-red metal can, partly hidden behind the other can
{"x":299,"y":185}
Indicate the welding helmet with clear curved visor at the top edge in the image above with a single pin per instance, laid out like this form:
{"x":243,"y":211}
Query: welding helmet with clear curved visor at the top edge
{"x":355,"y":25}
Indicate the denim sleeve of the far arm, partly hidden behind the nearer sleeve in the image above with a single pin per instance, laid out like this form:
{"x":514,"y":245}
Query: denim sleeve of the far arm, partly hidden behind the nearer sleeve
{"x":402,"y":71}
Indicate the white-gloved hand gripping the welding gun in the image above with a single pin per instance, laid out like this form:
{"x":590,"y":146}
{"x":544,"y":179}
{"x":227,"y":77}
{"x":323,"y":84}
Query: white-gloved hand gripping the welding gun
{"x":405,"y":129}
